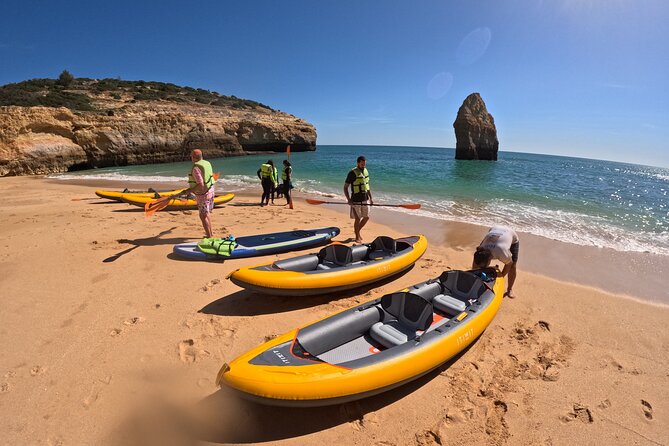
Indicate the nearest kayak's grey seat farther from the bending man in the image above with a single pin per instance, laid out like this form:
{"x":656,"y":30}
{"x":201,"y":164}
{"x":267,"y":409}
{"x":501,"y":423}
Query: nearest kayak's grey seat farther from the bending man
{"x":411,"y":313}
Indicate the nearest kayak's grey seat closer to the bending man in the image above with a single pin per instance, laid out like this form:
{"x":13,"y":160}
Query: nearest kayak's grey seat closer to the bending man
{"x":461,"y":288}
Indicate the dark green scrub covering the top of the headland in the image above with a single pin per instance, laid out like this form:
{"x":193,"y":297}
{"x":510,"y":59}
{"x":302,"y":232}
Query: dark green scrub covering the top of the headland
{"x":80,"y":94}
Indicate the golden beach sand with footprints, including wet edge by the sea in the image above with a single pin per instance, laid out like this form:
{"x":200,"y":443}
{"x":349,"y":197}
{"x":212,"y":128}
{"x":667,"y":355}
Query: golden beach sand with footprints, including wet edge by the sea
{"x":108,"y":339}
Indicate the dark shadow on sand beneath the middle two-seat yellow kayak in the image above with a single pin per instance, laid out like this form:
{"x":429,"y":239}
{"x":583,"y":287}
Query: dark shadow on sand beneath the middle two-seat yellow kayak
{"x":248,"y":303}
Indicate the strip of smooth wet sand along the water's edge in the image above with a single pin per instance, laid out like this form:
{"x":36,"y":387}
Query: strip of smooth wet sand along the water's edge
{"x":600,"y":268}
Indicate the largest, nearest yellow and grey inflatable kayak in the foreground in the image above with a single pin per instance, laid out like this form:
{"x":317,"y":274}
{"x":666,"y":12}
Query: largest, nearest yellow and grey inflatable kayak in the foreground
{"x":372,"y":347}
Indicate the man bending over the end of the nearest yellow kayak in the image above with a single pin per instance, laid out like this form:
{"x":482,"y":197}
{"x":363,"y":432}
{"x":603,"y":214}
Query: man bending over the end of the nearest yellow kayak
{"x":500,"y":243}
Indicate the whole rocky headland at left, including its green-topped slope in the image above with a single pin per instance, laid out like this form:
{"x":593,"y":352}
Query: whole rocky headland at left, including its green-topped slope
{"x":116,"y":123}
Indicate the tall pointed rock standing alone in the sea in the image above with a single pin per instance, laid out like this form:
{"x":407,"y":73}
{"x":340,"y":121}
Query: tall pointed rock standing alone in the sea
{"x":475,"y":132}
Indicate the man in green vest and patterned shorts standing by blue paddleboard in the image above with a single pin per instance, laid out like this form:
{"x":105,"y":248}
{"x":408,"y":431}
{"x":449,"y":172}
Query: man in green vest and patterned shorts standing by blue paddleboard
{"x":201,"y":184}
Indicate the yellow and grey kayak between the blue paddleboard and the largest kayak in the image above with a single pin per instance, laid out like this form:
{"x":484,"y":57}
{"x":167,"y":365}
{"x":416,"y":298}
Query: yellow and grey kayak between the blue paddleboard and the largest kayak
{"x":336,"y":267}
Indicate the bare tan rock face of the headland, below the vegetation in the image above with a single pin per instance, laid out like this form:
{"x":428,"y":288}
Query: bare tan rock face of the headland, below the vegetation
{"x":42,"y":140}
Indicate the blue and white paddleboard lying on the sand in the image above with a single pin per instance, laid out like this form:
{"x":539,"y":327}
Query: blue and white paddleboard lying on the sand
{"x":262,"y":244}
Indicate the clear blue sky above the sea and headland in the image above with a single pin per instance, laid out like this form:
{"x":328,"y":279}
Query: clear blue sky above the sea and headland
{"x":581,"y":78}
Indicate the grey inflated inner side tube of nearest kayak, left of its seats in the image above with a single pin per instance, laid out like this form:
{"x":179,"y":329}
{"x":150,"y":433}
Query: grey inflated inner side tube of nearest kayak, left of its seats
{"x":334,"y":331}
